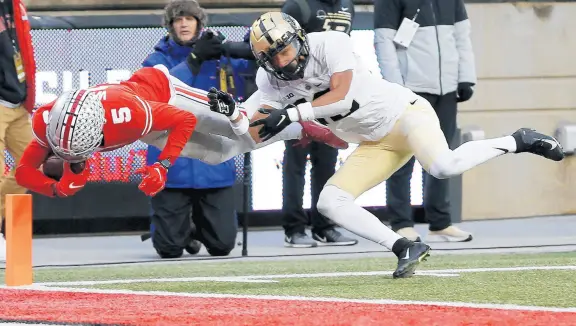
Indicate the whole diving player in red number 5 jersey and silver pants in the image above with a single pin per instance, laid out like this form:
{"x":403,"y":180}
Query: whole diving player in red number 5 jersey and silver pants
{"x":152,"y":107}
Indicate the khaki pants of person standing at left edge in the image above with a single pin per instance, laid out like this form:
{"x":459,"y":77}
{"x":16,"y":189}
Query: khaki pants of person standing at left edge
{"x":15,"y":135}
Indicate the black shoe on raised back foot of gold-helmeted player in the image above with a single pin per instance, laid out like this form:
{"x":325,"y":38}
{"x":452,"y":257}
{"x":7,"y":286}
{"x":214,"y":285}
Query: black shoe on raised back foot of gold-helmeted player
{"x":531,"y":141}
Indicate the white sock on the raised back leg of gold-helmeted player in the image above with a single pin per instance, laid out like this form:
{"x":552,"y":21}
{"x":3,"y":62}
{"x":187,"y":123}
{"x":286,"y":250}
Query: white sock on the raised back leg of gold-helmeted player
{"x":469,"y":155}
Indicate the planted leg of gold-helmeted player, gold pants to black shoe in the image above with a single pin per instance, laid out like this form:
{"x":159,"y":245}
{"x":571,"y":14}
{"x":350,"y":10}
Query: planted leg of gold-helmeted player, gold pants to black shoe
{"x":369,"y":165}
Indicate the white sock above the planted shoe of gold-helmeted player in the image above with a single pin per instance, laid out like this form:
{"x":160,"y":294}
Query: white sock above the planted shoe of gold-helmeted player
{"x":339,"y":206}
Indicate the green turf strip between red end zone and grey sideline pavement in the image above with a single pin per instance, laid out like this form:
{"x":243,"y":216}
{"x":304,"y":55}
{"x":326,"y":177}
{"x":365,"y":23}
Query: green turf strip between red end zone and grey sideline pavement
{"x":552,"y":288}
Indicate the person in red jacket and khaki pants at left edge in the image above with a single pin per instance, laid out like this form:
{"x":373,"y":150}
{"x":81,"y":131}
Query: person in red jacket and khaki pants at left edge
{"x":17,"y":97}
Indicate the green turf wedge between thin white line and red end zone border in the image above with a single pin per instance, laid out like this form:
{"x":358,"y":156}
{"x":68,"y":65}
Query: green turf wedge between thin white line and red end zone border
{"x":534,"y":288}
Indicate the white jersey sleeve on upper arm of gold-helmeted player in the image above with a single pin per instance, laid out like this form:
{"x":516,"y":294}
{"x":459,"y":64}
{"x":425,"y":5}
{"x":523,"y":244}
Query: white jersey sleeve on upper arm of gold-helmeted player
{"x":339,"y":52}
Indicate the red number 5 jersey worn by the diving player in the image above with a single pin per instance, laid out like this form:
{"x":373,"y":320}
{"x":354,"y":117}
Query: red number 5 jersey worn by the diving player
{"x":133,"y":109}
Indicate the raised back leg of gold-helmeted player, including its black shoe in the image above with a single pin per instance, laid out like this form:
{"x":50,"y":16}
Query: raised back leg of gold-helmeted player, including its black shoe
{"x":421,"y":126}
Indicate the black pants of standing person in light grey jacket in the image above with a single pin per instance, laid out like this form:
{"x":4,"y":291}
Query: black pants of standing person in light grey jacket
{"x":436,"y":191}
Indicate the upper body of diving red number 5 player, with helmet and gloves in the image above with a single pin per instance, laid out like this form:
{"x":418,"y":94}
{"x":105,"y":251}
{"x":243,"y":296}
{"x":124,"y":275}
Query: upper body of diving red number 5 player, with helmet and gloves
{"x":104,"y":118}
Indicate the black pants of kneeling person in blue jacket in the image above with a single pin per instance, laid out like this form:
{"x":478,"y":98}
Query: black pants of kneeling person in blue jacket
{"x":207,"y":215}
